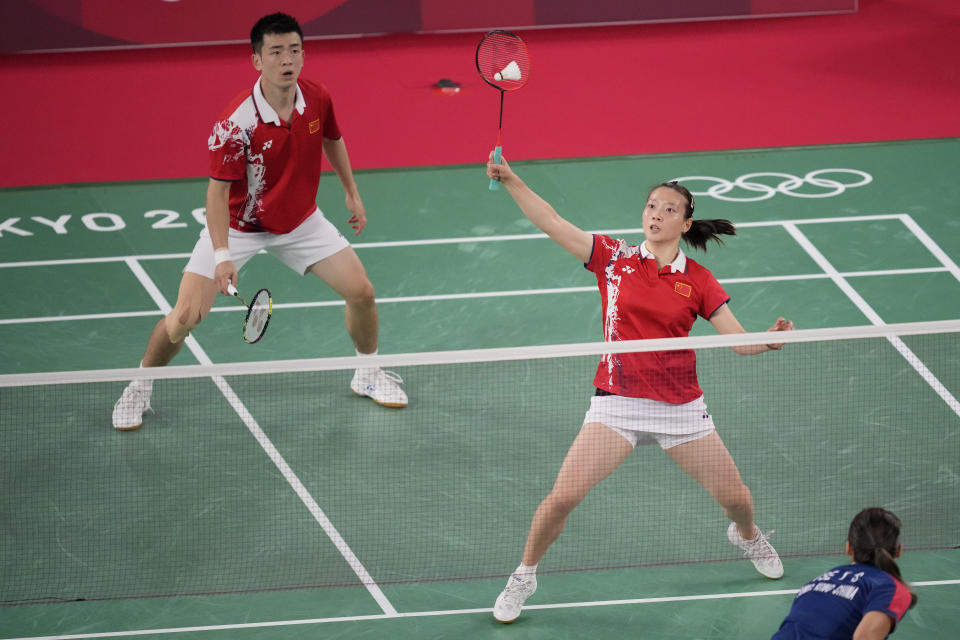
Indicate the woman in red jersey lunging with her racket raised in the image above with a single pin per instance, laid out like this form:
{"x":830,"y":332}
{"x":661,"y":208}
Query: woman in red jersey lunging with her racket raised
{"x":649,"y":291}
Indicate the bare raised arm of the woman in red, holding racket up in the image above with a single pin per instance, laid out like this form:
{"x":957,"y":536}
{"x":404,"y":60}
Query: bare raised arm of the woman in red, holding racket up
{"x":569,"y":236}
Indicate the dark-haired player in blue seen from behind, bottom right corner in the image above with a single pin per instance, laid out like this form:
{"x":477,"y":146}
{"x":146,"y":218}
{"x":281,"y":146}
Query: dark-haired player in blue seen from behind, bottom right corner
{"x":864,"y":600}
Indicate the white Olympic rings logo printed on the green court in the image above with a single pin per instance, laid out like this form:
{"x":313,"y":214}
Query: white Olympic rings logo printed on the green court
{"x":788,"y":185}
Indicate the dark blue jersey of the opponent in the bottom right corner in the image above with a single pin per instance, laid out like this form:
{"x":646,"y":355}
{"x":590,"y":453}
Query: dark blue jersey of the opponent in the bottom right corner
{"x":831,"y":605}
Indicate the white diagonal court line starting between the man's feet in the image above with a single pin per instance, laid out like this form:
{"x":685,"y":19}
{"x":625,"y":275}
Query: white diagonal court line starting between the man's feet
{"x":341,"y":544}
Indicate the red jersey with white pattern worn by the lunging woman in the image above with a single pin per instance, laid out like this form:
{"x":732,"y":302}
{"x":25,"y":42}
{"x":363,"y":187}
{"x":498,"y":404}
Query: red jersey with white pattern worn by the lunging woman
{"x":641,"y":302}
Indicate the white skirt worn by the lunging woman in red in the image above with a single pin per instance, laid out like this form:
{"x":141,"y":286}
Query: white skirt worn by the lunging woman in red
{"x":643,"y":421}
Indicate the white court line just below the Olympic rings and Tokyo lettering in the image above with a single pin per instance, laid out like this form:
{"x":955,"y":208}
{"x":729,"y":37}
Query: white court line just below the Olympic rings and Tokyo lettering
{"x":463,"y":240}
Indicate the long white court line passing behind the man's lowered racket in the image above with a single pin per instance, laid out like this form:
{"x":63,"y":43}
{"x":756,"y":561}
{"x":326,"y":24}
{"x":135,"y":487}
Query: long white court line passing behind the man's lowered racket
{"x":469,"y":296}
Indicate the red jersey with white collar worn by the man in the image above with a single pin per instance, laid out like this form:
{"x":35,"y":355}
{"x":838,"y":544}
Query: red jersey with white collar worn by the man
{"x":274,"y":165}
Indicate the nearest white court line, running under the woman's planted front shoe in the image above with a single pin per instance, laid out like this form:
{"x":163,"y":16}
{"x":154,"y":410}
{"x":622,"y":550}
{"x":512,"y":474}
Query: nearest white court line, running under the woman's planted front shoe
{"x":446,"y":612}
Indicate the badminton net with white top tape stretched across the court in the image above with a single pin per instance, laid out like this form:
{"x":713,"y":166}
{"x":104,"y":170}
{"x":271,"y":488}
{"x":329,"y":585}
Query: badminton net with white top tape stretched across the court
{"x":265,"y":476}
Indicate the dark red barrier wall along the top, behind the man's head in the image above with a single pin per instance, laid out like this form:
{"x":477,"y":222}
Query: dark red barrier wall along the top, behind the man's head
{"x":53,"y":25}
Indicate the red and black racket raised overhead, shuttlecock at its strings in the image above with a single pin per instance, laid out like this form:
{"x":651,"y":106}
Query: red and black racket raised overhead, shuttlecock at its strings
{"x":504,"y":64}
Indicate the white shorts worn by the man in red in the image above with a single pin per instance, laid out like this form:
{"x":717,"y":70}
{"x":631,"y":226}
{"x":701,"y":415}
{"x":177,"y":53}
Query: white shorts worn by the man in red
{"x":315,"y":239}
